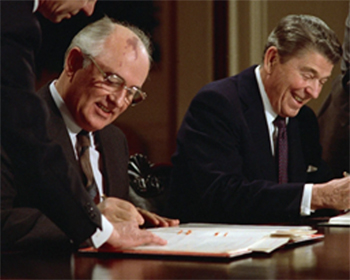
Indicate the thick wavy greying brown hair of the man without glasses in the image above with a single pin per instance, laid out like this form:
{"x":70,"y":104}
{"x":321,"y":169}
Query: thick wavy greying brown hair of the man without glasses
{"x":297,"y":33}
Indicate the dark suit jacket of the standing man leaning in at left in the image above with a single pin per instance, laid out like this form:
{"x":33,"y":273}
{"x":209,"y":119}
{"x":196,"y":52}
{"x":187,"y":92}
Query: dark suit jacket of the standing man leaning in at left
{"x":28,"y":155}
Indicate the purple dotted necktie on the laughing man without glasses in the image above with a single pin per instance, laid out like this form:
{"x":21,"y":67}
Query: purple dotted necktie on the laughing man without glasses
{"x":282,"y":149}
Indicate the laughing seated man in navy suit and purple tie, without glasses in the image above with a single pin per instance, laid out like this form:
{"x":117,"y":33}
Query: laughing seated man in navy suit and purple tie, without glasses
{"x":230,"y":166}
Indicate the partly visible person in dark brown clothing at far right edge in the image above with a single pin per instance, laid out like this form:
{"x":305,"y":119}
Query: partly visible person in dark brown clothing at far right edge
{"x":334,"y":116}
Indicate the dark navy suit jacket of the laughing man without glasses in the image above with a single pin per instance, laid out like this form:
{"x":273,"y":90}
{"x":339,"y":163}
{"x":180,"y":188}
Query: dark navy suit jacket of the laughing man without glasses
{"x":224,"y":170}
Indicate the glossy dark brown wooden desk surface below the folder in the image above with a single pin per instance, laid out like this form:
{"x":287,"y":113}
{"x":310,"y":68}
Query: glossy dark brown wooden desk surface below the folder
{"x":326,"y":259}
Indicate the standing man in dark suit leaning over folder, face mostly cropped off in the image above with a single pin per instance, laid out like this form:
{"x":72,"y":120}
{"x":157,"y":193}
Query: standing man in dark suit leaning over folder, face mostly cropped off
{"x":29,"y":157}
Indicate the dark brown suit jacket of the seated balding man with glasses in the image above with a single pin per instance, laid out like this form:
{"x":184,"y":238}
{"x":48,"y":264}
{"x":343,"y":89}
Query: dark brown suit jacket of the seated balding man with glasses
{"x":113,"y":148}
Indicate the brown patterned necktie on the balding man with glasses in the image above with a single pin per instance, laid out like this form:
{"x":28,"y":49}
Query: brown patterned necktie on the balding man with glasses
{"x":85,"y":164}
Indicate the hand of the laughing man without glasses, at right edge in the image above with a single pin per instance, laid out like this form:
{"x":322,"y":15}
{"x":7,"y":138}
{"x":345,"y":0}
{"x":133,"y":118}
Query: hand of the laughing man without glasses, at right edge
{"x":334,"y":194}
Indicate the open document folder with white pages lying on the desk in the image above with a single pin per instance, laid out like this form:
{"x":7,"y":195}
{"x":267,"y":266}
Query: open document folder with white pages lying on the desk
{"x":225,"y":241}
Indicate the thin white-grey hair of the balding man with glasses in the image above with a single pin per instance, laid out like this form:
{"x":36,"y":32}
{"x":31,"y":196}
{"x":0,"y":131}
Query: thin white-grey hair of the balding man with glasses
{"x":91,"y":39}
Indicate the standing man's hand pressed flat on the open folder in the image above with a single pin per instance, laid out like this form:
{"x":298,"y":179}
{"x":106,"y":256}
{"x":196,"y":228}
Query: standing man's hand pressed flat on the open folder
{"x":128,"y":234}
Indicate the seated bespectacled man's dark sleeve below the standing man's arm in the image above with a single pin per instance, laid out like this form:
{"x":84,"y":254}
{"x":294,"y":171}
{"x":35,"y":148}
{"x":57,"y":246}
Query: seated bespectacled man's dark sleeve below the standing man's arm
{"x":23,"y":226}
